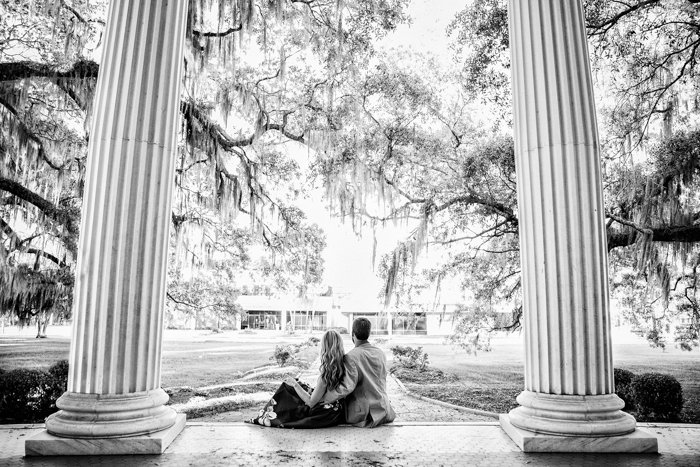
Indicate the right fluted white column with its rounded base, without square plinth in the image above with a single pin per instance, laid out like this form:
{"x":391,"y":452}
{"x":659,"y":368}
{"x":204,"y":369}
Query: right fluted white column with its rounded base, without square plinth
{"x":569,"y":387}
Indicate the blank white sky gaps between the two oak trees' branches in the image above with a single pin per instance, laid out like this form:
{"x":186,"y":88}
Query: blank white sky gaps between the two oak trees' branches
{"x":348,"y":258}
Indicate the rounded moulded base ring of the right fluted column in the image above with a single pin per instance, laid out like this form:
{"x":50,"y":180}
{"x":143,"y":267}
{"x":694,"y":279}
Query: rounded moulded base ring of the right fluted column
{"x":572,"y":415}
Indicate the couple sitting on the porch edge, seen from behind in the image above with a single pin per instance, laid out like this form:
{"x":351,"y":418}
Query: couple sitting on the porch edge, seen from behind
{"x":350,"y":389}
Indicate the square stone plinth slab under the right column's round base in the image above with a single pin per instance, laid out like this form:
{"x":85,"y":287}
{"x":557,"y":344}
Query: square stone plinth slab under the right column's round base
{"x":636,"y":442}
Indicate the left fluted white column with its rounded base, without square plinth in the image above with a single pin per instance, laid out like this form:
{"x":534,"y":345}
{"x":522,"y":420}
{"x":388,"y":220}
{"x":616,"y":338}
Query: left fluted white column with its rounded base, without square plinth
{"x":114,"y":380}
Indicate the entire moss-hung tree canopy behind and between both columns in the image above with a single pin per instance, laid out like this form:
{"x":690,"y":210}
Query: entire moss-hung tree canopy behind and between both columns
{"x":393,"y":137}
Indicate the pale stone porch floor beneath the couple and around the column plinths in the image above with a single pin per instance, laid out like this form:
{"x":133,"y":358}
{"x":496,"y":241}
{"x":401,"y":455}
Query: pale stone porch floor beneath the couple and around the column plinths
{"x":400,"y":444}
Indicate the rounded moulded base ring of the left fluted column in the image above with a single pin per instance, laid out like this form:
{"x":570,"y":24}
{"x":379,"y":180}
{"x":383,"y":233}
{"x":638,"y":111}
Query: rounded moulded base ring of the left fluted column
{"x":111,"y":415}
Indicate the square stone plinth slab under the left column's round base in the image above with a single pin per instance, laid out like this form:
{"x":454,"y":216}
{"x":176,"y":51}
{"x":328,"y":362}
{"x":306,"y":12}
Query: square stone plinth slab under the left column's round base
{"x":45,"y":444}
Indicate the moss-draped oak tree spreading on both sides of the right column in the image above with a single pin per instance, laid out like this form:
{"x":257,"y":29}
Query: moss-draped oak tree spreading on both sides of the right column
{"x":434,"y":145}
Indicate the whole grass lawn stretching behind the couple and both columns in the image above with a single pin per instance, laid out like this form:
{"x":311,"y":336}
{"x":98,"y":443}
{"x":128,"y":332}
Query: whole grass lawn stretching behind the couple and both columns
{"x":489,"y":381}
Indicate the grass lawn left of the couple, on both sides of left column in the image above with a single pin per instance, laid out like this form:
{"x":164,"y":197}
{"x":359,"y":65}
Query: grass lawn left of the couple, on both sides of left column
{"x":190,"y":360}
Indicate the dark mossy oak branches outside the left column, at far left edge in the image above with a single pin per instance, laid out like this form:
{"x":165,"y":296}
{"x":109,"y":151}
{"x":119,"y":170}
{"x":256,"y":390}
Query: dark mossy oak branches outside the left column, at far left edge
{"x":42,"y":146}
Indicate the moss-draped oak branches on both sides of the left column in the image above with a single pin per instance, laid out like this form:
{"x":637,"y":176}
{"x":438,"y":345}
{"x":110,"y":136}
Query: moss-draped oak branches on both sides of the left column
{"x":259,"y":90}
